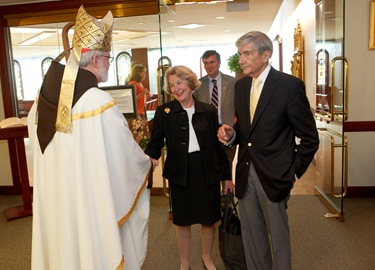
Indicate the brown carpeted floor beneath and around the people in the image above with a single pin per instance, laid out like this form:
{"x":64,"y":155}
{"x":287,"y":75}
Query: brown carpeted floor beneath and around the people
{"x":318,"y":243}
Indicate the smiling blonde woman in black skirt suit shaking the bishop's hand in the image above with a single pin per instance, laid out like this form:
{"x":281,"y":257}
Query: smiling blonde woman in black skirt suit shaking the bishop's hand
{"x":196,"y":161}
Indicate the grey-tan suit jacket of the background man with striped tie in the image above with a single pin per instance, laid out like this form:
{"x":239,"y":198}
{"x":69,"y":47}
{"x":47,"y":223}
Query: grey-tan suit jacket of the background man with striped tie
{"x":202,"y":93}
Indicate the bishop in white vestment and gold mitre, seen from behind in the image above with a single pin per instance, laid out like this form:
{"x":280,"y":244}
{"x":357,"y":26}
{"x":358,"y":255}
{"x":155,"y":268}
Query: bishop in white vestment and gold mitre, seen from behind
{"x":90,"y":202}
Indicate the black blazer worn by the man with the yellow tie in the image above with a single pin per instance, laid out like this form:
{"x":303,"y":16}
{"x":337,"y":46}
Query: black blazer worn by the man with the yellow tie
{"x":283,"y":112}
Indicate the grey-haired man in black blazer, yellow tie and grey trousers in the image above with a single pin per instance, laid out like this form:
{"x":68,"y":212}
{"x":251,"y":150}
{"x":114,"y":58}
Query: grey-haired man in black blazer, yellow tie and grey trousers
{"x":276,"y":146}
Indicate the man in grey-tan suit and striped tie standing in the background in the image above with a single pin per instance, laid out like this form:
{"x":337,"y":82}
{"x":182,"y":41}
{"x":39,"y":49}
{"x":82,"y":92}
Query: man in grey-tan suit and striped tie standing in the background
{"x":225,"y":86}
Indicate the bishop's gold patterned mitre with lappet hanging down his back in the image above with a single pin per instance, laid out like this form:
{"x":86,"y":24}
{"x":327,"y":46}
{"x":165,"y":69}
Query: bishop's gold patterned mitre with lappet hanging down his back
{"x":89,"y":34}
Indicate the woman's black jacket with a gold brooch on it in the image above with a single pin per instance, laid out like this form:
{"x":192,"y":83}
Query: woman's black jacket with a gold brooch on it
{"x":171,"y":122}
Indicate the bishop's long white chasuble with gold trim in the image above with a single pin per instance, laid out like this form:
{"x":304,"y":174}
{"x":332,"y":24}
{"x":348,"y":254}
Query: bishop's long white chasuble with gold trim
{"x":90,"y":203}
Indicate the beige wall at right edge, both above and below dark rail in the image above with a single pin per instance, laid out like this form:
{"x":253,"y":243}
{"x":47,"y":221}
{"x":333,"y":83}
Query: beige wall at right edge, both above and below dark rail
{"x":361,"y":92}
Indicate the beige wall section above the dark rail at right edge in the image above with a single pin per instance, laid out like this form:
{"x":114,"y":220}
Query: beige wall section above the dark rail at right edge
{"x":361,"y":61}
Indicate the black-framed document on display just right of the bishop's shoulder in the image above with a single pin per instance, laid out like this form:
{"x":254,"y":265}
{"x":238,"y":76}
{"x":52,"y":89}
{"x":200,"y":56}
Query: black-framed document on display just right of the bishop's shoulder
{"x":125,"y":97}
